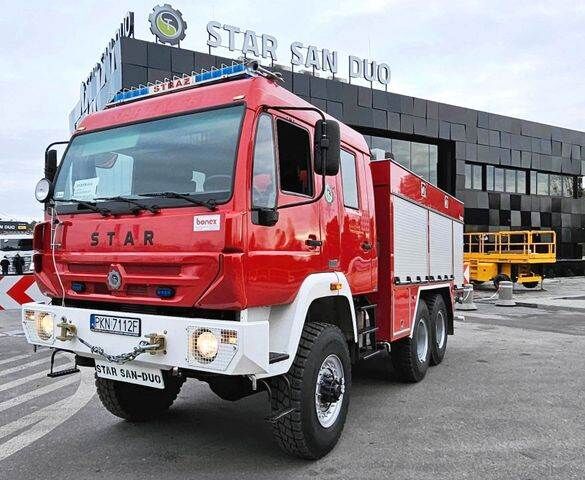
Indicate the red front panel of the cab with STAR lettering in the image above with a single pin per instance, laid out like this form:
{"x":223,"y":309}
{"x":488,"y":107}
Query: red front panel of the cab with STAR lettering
{"x":178,"y":248}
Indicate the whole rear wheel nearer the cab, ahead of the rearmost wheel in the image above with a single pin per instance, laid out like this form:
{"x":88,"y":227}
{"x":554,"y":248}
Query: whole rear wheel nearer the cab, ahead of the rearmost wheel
{"x":411,"y":356}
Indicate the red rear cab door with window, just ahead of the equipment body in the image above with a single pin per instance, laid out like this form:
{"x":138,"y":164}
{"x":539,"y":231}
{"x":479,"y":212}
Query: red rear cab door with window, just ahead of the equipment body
{"x":356,"y":249}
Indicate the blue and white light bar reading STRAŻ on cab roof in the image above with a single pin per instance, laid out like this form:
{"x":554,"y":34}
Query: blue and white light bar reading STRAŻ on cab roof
{"x":233,"y":71}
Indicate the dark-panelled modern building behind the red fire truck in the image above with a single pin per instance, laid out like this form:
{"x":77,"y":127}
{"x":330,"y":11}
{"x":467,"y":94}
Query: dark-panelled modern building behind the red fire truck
{"x":511,"y":173}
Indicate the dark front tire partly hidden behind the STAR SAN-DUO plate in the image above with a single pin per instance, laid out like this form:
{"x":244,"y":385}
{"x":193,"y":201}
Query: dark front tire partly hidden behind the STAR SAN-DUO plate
{"x":137,"y":403}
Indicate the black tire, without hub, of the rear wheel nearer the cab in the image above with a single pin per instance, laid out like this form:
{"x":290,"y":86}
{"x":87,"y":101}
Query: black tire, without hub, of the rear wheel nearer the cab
{"x":403,"y":353}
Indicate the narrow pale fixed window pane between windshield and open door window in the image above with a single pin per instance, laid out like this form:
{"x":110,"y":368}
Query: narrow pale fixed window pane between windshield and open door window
{"x":264,"y":172}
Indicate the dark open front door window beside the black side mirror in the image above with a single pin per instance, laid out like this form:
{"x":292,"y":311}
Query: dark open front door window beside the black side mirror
{"x":294,"y":159}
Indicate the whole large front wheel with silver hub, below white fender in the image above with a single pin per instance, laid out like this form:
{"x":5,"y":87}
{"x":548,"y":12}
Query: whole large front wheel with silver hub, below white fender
{"x":317,"y":388}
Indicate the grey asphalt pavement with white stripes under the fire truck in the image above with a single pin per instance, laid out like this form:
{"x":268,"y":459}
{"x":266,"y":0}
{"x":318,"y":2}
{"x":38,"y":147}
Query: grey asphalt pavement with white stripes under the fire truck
{"x":506,"y":403}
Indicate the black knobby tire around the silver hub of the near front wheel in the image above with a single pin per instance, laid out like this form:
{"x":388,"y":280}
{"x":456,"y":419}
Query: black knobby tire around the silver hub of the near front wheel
{"x":300,"y":433}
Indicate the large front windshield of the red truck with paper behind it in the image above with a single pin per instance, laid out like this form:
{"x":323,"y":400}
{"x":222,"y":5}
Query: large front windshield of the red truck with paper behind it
{"x":192,"y":154}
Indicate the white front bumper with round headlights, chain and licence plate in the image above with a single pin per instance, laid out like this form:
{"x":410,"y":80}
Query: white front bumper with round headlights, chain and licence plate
{"x":249,"y":356}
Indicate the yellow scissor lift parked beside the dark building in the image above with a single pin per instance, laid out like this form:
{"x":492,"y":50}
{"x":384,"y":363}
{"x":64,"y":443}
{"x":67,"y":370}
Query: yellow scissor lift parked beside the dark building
{"x":509,"y":255}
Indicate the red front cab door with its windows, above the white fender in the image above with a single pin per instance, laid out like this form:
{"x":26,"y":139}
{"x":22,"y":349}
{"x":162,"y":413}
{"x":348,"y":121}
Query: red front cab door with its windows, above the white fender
{"x":281,"y":256}
